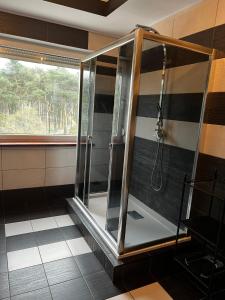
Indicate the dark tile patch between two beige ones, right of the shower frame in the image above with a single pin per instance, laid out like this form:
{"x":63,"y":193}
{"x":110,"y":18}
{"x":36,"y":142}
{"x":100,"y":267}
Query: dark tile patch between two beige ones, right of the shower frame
{"x":215,"y":109}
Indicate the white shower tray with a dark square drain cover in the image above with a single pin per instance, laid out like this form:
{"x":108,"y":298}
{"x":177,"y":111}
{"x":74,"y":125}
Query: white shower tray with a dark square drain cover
{"x":143,"y":223}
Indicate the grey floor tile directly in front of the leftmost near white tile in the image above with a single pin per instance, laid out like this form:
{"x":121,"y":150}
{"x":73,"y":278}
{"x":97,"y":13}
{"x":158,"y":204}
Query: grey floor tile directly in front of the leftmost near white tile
{"x":26,"y":280}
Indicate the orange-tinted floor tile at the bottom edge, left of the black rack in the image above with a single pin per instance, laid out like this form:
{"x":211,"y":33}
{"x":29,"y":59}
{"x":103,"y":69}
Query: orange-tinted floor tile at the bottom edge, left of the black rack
{"x":152,"y":291}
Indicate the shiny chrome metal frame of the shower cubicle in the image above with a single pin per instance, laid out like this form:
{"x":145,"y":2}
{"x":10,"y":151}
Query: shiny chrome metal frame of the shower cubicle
{"x":138,"y":36}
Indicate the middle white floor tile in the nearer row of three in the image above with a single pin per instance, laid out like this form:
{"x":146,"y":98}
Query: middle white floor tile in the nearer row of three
{"x":54,"y":251}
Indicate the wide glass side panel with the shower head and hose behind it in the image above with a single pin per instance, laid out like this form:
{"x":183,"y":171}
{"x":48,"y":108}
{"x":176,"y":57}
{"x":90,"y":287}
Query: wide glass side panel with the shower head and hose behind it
{"x":173,"y":81}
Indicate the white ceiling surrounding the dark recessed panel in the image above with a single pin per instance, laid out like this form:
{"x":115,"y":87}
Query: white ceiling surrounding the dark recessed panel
{"x":119,"y":22}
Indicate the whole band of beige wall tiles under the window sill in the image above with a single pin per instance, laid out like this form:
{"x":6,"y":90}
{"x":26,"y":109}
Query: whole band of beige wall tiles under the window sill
{"x":36,"y":167}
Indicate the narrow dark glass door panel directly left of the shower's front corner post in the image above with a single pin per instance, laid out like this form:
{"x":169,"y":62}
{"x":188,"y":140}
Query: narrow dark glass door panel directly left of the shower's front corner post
{"x":117,"y":146}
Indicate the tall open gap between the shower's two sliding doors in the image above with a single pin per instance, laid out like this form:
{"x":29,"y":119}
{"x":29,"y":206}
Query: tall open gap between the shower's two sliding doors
{"x":101,"y":131}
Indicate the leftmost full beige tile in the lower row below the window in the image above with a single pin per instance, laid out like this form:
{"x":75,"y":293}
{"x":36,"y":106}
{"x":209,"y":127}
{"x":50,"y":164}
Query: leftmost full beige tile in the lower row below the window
{"x":17,"y":179}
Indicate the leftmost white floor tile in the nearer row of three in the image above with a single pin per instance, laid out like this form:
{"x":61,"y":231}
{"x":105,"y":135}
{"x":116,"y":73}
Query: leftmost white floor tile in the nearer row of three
{"x":23,"y":258}
